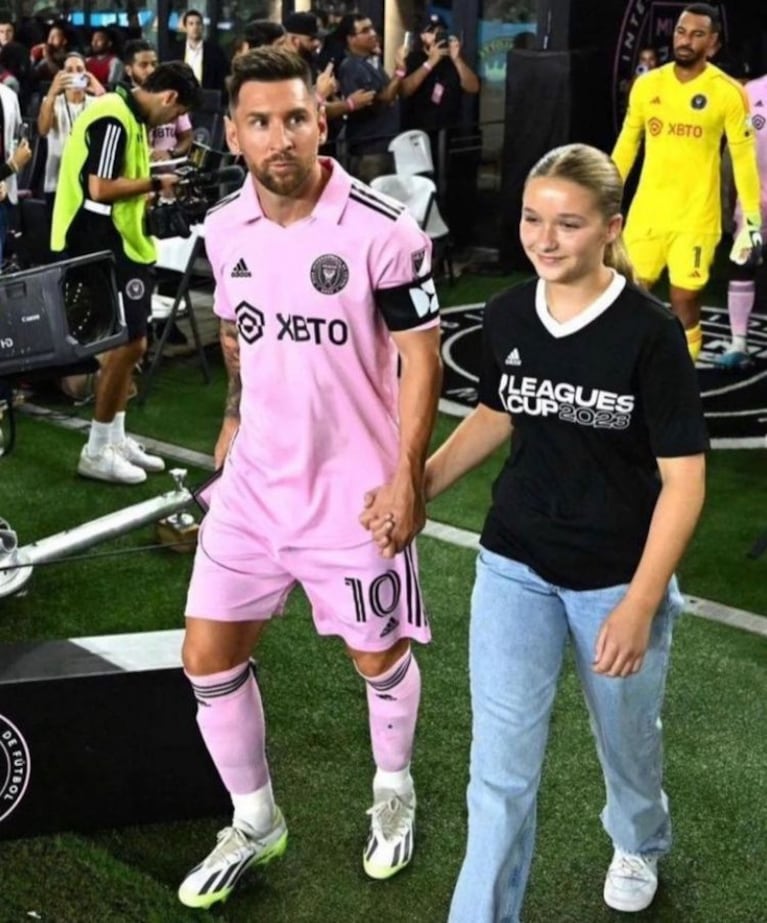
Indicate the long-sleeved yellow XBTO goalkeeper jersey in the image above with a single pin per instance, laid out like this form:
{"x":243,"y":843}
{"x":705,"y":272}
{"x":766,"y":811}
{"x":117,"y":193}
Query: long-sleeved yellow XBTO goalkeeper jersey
{"x":682,"y":125}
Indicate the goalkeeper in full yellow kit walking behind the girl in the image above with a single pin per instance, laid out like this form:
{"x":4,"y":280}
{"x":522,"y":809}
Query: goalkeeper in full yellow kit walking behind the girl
{"x":682,"y":110}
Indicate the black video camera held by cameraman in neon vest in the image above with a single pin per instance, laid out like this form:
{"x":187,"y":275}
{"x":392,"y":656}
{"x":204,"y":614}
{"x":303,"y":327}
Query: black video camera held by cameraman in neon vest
{"x":196,"y":191}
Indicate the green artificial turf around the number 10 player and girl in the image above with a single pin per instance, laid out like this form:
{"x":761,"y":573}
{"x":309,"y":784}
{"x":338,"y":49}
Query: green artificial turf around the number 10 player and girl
{"x":318,"y":739}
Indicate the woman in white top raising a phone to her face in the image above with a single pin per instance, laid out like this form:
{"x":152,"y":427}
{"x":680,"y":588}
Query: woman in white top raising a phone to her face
{"x":72,"y":90}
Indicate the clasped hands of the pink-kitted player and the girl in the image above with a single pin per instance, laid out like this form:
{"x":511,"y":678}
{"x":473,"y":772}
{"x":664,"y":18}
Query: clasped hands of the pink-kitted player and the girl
{"x":394,"y":514}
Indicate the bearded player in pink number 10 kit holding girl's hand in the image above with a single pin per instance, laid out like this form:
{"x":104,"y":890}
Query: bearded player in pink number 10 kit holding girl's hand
{"x":322,"y":286}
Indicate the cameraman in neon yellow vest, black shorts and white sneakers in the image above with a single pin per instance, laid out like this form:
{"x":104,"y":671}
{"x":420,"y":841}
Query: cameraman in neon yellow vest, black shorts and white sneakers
{"x":100,"y":205}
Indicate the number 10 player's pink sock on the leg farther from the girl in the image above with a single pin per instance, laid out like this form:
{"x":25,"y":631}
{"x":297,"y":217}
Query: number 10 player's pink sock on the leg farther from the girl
{"x":231,"y":719}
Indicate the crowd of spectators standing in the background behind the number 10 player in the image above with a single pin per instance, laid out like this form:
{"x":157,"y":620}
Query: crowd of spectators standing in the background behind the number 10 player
{"x":55,"y":71}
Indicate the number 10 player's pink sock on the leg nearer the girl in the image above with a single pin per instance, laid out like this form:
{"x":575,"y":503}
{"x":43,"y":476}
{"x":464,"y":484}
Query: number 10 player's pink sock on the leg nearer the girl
{"x":393,"y":699}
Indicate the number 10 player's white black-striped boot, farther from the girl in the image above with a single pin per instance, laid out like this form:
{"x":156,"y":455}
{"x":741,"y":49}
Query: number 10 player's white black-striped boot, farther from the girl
{"x":216,"y":876}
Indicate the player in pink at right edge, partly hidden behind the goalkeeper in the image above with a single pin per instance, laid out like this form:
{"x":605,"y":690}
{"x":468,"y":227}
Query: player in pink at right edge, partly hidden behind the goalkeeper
{"x":741,"y":291}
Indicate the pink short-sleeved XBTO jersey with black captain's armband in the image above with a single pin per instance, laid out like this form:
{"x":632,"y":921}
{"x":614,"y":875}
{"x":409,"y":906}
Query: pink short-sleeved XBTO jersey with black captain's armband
{"x":314,"y":303}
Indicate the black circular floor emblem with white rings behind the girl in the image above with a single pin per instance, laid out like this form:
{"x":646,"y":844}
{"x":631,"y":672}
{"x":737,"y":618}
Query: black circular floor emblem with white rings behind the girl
{"x":735,"y":403}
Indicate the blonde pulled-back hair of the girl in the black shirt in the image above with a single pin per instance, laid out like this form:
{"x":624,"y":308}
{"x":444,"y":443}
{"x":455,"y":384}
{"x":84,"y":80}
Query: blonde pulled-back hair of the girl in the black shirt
{"x":593,"y":170}
